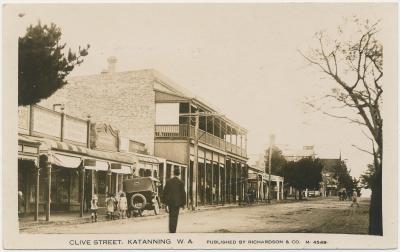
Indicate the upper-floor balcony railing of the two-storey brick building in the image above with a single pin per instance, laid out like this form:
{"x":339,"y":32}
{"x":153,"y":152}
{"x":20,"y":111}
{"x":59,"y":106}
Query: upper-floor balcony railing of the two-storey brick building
{"x":184,"y":131}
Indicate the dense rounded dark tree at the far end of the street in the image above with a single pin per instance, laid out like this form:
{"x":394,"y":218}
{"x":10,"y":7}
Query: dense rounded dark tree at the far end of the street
{"x":304,"y":174}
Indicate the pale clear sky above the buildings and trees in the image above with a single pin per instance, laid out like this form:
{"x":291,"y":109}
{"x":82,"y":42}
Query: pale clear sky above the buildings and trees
{"x":242,"y":58}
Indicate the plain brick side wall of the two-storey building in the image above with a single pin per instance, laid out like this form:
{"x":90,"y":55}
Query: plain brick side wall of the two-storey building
{"x":126,"y":100}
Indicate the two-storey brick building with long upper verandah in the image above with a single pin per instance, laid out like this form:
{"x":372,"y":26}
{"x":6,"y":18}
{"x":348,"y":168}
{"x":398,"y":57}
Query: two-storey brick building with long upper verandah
{"x":148,"y":107}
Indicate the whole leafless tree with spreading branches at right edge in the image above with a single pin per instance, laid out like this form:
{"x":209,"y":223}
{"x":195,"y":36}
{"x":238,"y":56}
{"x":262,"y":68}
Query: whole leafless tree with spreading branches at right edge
{"x":354,"y":61}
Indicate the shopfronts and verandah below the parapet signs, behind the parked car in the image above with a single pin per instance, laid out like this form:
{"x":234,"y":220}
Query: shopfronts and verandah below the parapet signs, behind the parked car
{"x":55,"y":176}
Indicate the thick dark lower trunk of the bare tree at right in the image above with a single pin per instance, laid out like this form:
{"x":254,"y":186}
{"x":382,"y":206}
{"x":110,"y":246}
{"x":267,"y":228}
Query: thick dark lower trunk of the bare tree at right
{"x":375,"y":208}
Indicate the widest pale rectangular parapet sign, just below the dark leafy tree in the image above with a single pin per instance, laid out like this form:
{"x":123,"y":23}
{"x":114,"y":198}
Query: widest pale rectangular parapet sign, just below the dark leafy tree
{"x":46,"y":122}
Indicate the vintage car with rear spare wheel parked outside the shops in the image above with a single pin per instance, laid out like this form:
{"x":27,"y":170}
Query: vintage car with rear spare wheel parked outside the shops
{"x":142,"y":194}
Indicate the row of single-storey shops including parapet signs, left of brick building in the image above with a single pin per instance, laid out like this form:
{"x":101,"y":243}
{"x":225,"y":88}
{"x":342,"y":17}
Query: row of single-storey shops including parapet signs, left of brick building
{"x":56,"y":174}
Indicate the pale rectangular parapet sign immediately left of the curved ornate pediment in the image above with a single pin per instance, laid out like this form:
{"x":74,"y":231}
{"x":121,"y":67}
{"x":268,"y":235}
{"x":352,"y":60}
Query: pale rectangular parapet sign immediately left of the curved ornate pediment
{"x":75,"y":130}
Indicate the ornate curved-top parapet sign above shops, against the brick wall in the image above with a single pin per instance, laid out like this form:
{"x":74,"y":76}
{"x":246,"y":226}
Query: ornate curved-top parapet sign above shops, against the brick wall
{"x":103,"y":137}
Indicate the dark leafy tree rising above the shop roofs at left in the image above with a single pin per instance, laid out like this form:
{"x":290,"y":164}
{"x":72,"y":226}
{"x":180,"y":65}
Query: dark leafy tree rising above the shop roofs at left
{"x":42,"y":65}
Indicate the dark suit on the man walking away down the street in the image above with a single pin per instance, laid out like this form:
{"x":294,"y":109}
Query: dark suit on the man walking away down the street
{"x":174,"y":196}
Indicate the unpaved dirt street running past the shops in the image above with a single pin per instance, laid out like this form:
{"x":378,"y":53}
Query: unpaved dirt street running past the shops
{"x":314,"y":215}
